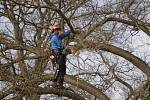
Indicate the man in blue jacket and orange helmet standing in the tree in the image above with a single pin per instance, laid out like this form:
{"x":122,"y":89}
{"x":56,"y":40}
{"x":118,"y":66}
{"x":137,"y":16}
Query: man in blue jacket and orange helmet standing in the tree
{"x":57,"y":47}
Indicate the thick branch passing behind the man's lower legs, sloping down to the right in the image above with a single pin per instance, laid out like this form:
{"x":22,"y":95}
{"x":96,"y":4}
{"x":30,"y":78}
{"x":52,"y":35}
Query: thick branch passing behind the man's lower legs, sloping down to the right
{"x":73,"y":81}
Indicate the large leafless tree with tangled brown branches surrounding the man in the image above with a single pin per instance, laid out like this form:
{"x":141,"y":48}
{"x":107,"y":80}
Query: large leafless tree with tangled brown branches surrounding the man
{"x":107,"y":30}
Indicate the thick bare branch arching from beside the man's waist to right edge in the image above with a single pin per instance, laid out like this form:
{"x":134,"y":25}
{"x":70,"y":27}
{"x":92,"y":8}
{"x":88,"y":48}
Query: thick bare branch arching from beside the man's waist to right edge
{"x":139,"y":63}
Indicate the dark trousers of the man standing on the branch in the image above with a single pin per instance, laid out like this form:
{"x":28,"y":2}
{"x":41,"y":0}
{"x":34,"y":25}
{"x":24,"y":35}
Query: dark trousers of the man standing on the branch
{"x":60,"y":62}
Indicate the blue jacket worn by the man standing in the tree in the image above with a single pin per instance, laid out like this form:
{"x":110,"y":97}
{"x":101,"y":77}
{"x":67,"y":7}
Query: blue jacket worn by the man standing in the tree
{"x":56,"y":40}
